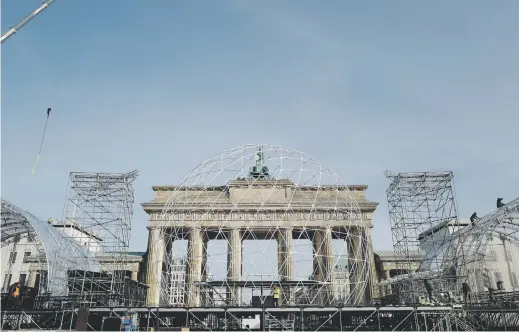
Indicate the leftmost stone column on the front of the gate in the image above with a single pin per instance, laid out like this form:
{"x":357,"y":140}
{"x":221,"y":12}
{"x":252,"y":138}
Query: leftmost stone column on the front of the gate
{"x":154,"y":262}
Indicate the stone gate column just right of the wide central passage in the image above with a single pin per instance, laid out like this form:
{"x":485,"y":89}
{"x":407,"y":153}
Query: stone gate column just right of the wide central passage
{"x":285,"y":262}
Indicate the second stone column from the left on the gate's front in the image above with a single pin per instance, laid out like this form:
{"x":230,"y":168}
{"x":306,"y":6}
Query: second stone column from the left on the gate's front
{"x":194,"y":266}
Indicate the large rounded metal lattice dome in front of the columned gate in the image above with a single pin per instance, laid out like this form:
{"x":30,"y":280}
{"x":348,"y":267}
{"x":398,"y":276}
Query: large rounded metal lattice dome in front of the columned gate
{"x":258,"y":217}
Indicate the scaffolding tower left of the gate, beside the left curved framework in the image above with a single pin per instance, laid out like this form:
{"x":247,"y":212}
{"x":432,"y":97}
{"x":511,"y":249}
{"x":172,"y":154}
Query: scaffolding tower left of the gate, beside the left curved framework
{"x":97,"y":217}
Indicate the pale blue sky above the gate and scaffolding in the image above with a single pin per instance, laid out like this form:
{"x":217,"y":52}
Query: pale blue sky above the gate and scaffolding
{"x":363,"y":86}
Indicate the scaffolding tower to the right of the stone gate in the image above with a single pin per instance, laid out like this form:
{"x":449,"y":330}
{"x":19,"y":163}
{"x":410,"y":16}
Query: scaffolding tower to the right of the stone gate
{"x":424,"y":218}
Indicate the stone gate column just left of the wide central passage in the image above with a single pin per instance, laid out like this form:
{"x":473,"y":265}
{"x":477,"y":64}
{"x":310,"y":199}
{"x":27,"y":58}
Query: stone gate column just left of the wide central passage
{"x":234,"y":265}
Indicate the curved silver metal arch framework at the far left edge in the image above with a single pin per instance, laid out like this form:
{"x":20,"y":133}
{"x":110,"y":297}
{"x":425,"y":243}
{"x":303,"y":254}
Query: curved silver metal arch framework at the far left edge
{"x":35,"y":247}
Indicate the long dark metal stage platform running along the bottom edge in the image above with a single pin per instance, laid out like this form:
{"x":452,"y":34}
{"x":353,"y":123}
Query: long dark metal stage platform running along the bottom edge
{"x":387,"y":318}
